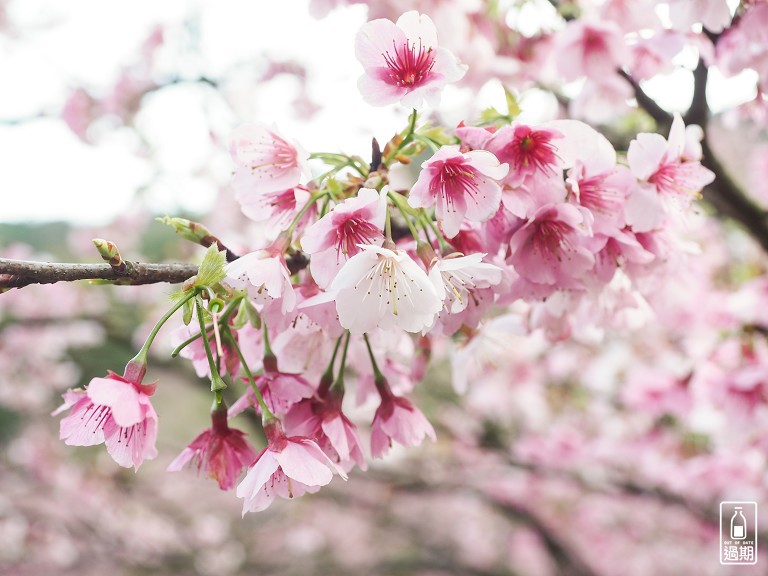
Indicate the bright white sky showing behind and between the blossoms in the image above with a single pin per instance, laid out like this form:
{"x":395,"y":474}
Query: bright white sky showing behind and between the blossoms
{"x":49,"y":174}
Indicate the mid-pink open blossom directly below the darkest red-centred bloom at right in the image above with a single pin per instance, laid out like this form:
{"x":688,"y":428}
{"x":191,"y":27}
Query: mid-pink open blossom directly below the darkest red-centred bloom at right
{"x":550,"y":248}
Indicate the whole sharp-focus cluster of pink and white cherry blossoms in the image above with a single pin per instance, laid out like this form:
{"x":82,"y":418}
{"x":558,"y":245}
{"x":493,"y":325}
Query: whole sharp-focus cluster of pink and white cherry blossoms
{"x":540,"y":219}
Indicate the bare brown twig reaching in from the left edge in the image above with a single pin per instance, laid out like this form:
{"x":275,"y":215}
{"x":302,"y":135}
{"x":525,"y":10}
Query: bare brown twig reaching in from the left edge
{"x":19,"y":273}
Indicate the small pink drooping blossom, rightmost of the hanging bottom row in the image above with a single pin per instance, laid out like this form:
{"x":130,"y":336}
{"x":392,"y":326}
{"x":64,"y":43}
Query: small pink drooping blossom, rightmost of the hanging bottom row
{"x":399,"y":420}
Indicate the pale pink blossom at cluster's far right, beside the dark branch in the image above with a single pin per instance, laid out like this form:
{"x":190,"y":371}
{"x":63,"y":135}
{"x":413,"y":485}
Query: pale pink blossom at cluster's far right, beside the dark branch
{"x":667,"y":175}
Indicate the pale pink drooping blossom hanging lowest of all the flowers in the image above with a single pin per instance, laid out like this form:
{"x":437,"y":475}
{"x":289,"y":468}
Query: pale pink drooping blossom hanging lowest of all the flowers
{"x":288,"y":467}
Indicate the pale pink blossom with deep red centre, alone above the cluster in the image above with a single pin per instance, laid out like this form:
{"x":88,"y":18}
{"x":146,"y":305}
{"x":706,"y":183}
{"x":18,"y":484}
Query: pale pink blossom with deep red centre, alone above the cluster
{"x":403,"y":62}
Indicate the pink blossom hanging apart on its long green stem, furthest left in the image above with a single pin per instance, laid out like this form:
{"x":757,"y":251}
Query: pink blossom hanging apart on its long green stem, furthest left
{"x":116,"y":411}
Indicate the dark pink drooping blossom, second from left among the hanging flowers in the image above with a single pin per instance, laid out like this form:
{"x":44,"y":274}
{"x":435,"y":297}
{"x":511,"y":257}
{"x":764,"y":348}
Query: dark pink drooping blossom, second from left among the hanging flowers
{"x":222,"y":451}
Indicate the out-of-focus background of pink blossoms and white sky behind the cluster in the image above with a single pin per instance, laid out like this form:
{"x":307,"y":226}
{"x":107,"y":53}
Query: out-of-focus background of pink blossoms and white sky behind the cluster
{"x":603,"y":454}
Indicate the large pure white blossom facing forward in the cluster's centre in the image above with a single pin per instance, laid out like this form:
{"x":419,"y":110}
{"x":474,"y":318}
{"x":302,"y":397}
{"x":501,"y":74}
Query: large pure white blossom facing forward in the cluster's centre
{"x":384,"y":288}
